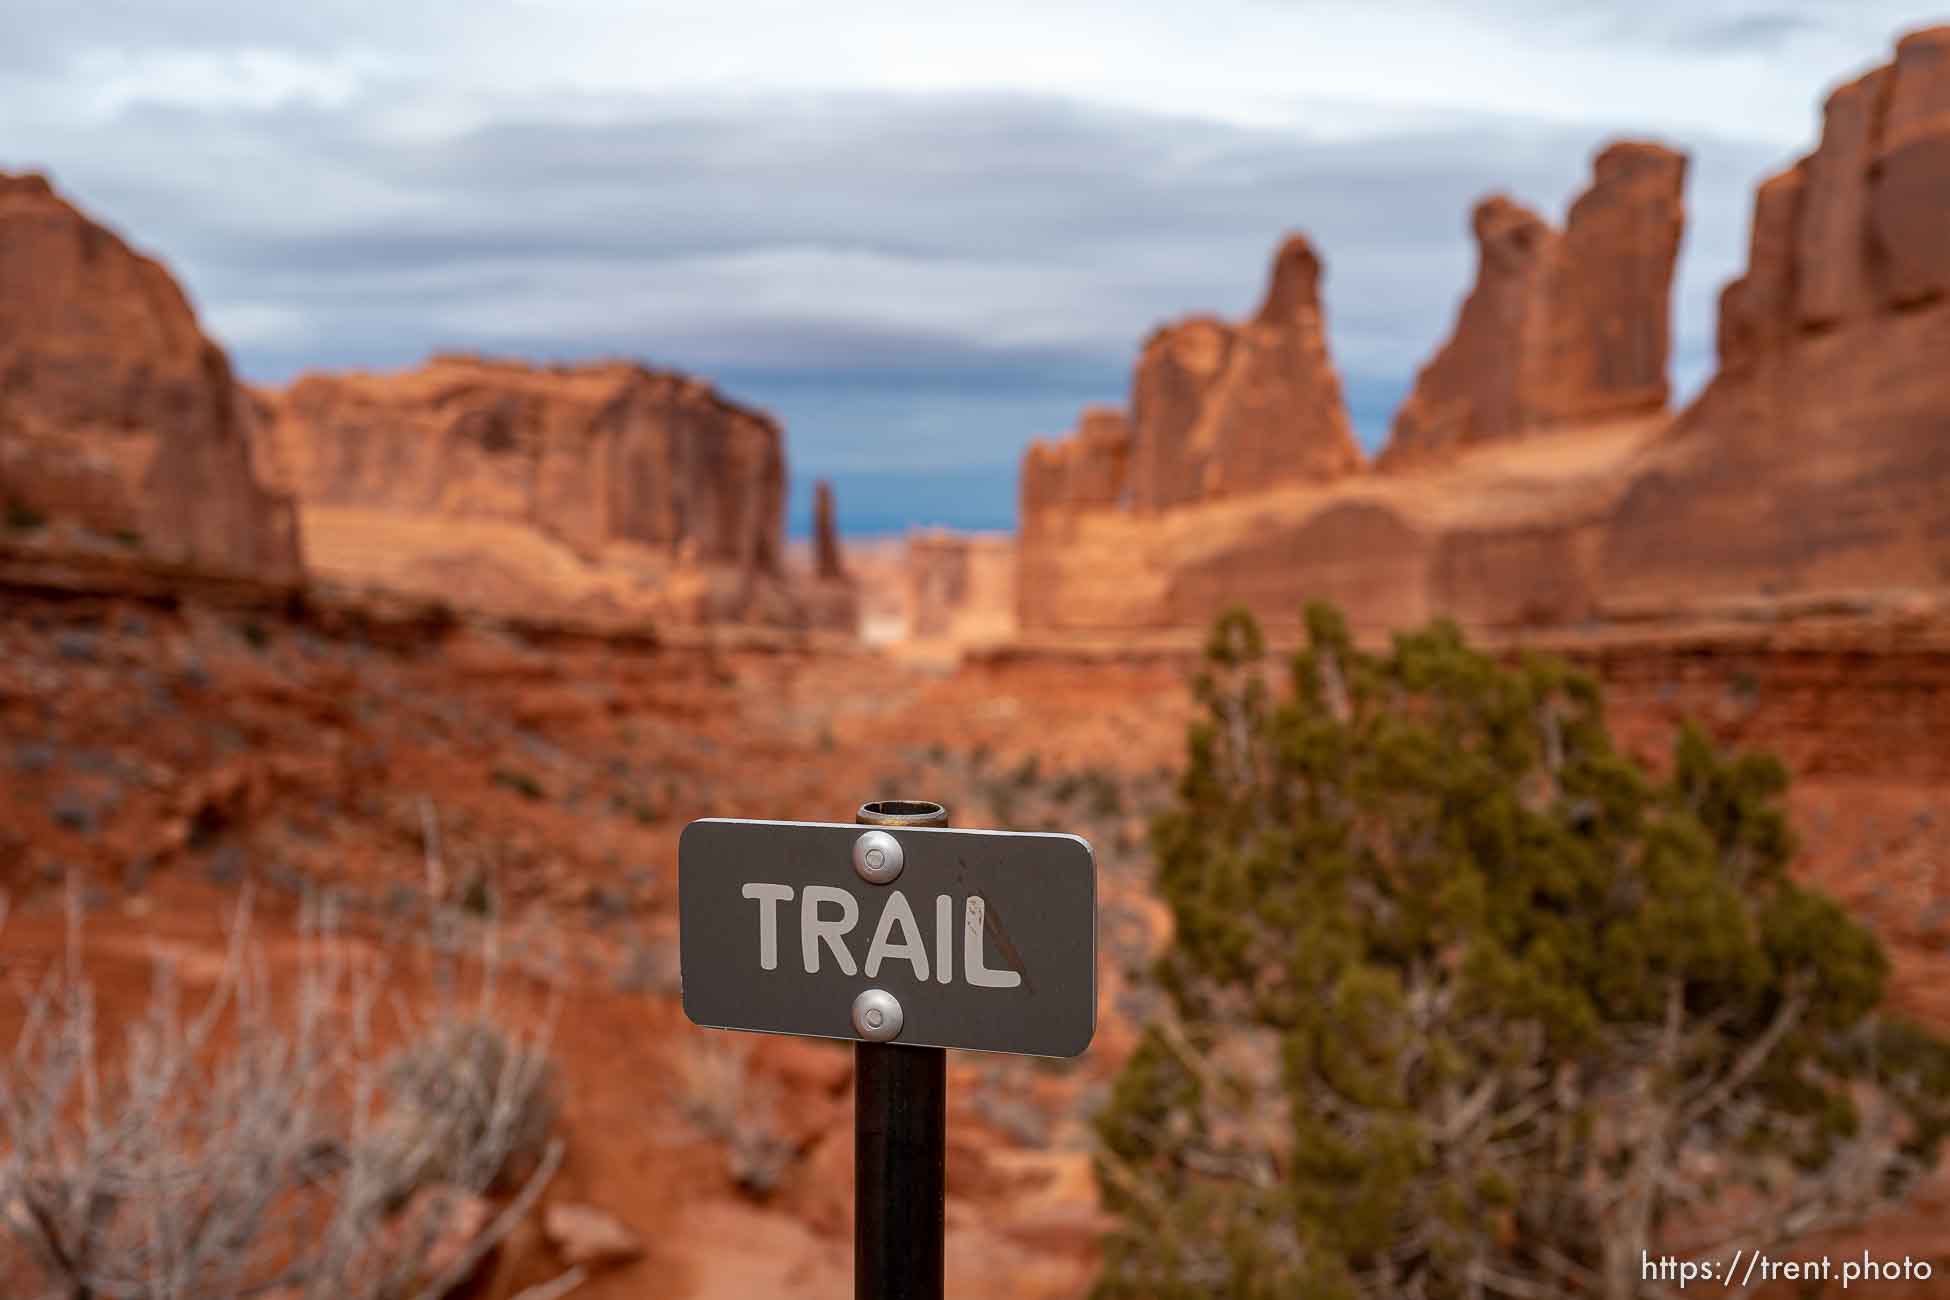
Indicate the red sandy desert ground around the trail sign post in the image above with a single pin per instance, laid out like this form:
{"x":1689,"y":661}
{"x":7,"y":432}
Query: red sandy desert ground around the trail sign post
{"x":167,"y":755}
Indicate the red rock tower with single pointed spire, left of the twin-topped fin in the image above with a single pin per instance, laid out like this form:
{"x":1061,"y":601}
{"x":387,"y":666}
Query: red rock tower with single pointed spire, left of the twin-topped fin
{"x":1218,"y":410}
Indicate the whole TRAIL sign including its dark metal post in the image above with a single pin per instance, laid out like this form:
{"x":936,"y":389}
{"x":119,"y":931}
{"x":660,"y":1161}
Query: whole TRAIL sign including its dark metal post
{"x":908,"y":938}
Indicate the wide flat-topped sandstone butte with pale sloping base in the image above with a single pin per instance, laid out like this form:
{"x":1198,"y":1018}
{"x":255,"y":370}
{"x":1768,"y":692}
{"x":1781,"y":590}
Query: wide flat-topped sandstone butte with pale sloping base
{"x":592,"y":490}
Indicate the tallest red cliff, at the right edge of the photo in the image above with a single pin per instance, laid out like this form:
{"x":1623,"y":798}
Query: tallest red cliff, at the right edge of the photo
{"x":1818,"y":459}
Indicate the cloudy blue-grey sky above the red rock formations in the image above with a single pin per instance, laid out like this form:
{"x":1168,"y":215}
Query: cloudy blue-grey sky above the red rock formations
{"x":919,"y":235}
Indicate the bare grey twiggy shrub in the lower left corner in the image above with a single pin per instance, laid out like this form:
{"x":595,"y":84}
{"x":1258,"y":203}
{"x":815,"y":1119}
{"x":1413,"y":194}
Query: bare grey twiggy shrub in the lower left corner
{"x":260,"y":1139}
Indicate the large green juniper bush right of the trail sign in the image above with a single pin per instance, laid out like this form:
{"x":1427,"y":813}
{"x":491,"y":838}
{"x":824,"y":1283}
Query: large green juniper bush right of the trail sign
{"x":1465,"y":1003}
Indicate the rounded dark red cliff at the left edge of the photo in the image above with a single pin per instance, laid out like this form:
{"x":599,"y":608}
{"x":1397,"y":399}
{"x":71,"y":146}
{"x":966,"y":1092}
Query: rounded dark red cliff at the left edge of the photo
{"x":120,"y":420}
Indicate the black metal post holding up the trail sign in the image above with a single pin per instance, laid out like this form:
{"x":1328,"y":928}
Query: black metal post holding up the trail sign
{"x":900,"y":1141}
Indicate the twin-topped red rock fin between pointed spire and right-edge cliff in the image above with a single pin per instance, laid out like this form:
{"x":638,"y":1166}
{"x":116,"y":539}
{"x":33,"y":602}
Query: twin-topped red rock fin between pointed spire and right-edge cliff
{"x":1561,"y":328}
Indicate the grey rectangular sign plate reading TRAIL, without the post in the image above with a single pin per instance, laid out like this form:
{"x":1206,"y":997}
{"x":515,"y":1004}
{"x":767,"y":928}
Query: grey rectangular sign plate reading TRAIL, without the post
{"x":894,"y":935}
